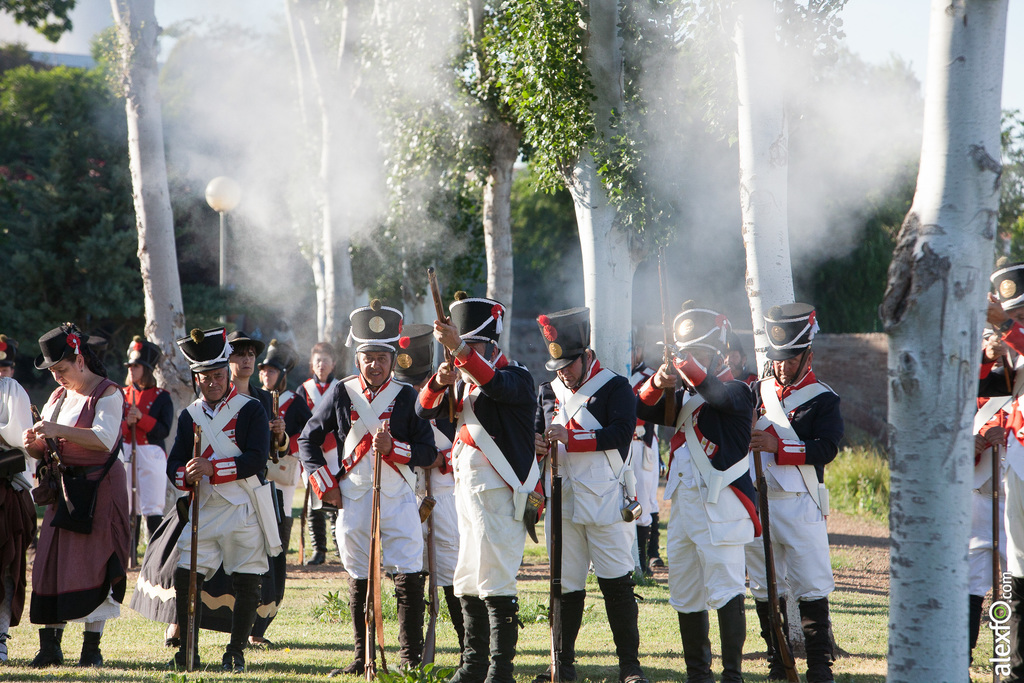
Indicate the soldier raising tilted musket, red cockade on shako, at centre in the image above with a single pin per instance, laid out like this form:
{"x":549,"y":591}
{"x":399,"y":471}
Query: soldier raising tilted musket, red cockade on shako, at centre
{"x":495,"y":472}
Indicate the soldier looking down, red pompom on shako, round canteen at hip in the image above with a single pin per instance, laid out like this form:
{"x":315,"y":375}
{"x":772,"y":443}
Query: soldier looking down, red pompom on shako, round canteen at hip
{"x":592,"y":426}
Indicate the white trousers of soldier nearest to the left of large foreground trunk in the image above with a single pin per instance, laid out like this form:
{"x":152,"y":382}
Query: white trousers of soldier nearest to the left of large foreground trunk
{"x":800,"y":545}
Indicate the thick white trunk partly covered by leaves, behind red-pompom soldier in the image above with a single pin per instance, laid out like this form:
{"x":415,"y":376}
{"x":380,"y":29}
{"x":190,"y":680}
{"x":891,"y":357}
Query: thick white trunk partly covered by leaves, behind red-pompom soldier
{"x":608,"y":263}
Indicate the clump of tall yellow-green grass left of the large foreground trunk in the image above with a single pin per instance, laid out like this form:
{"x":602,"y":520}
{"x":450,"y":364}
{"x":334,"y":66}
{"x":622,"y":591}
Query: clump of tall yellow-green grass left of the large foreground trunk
{"x":859,"y":483}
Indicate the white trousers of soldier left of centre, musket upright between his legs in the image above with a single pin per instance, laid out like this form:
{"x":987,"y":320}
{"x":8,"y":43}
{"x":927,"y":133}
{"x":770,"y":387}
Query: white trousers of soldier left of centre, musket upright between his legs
{"x":402,"y":543}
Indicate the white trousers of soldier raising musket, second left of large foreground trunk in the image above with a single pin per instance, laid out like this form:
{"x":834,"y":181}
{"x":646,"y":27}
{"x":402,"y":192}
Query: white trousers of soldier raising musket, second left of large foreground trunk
{"x":702,"y":575}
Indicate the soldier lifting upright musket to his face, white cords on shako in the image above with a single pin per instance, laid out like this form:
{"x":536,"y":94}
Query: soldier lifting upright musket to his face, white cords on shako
{"x":709,"y":484}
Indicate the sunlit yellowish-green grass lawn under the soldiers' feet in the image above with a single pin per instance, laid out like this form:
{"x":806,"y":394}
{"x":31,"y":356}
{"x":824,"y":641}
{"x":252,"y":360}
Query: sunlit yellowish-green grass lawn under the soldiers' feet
{"x":310,"y":644}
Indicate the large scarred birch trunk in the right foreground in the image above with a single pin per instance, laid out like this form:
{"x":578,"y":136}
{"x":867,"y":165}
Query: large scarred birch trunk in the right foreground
{"x":933,"y":312}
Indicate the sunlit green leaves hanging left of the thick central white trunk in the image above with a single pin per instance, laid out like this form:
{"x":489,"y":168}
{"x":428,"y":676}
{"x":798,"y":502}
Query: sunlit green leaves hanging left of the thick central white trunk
{"x":537,"y":61}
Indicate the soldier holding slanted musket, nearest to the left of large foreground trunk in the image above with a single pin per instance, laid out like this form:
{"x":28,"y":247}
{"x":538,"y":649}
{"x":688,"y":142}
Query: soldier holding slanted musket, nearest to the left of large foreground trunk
{"x":798,"y":434}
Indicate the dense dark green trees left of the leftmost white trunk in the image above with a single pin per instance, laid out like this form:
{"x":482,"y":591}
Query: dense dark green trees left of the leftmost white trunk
{"x":69,"y":224}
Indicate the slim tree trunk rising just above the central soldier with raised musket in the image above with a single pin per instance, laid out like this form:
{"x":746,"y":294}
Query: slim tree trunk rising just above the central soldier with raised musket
{"x":504,"y":146}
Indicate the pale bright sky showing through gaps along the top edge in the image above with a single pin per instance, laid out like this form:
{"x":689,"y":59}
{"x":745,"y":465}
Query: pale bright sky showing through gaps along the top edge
{"x":875,"y":29}
